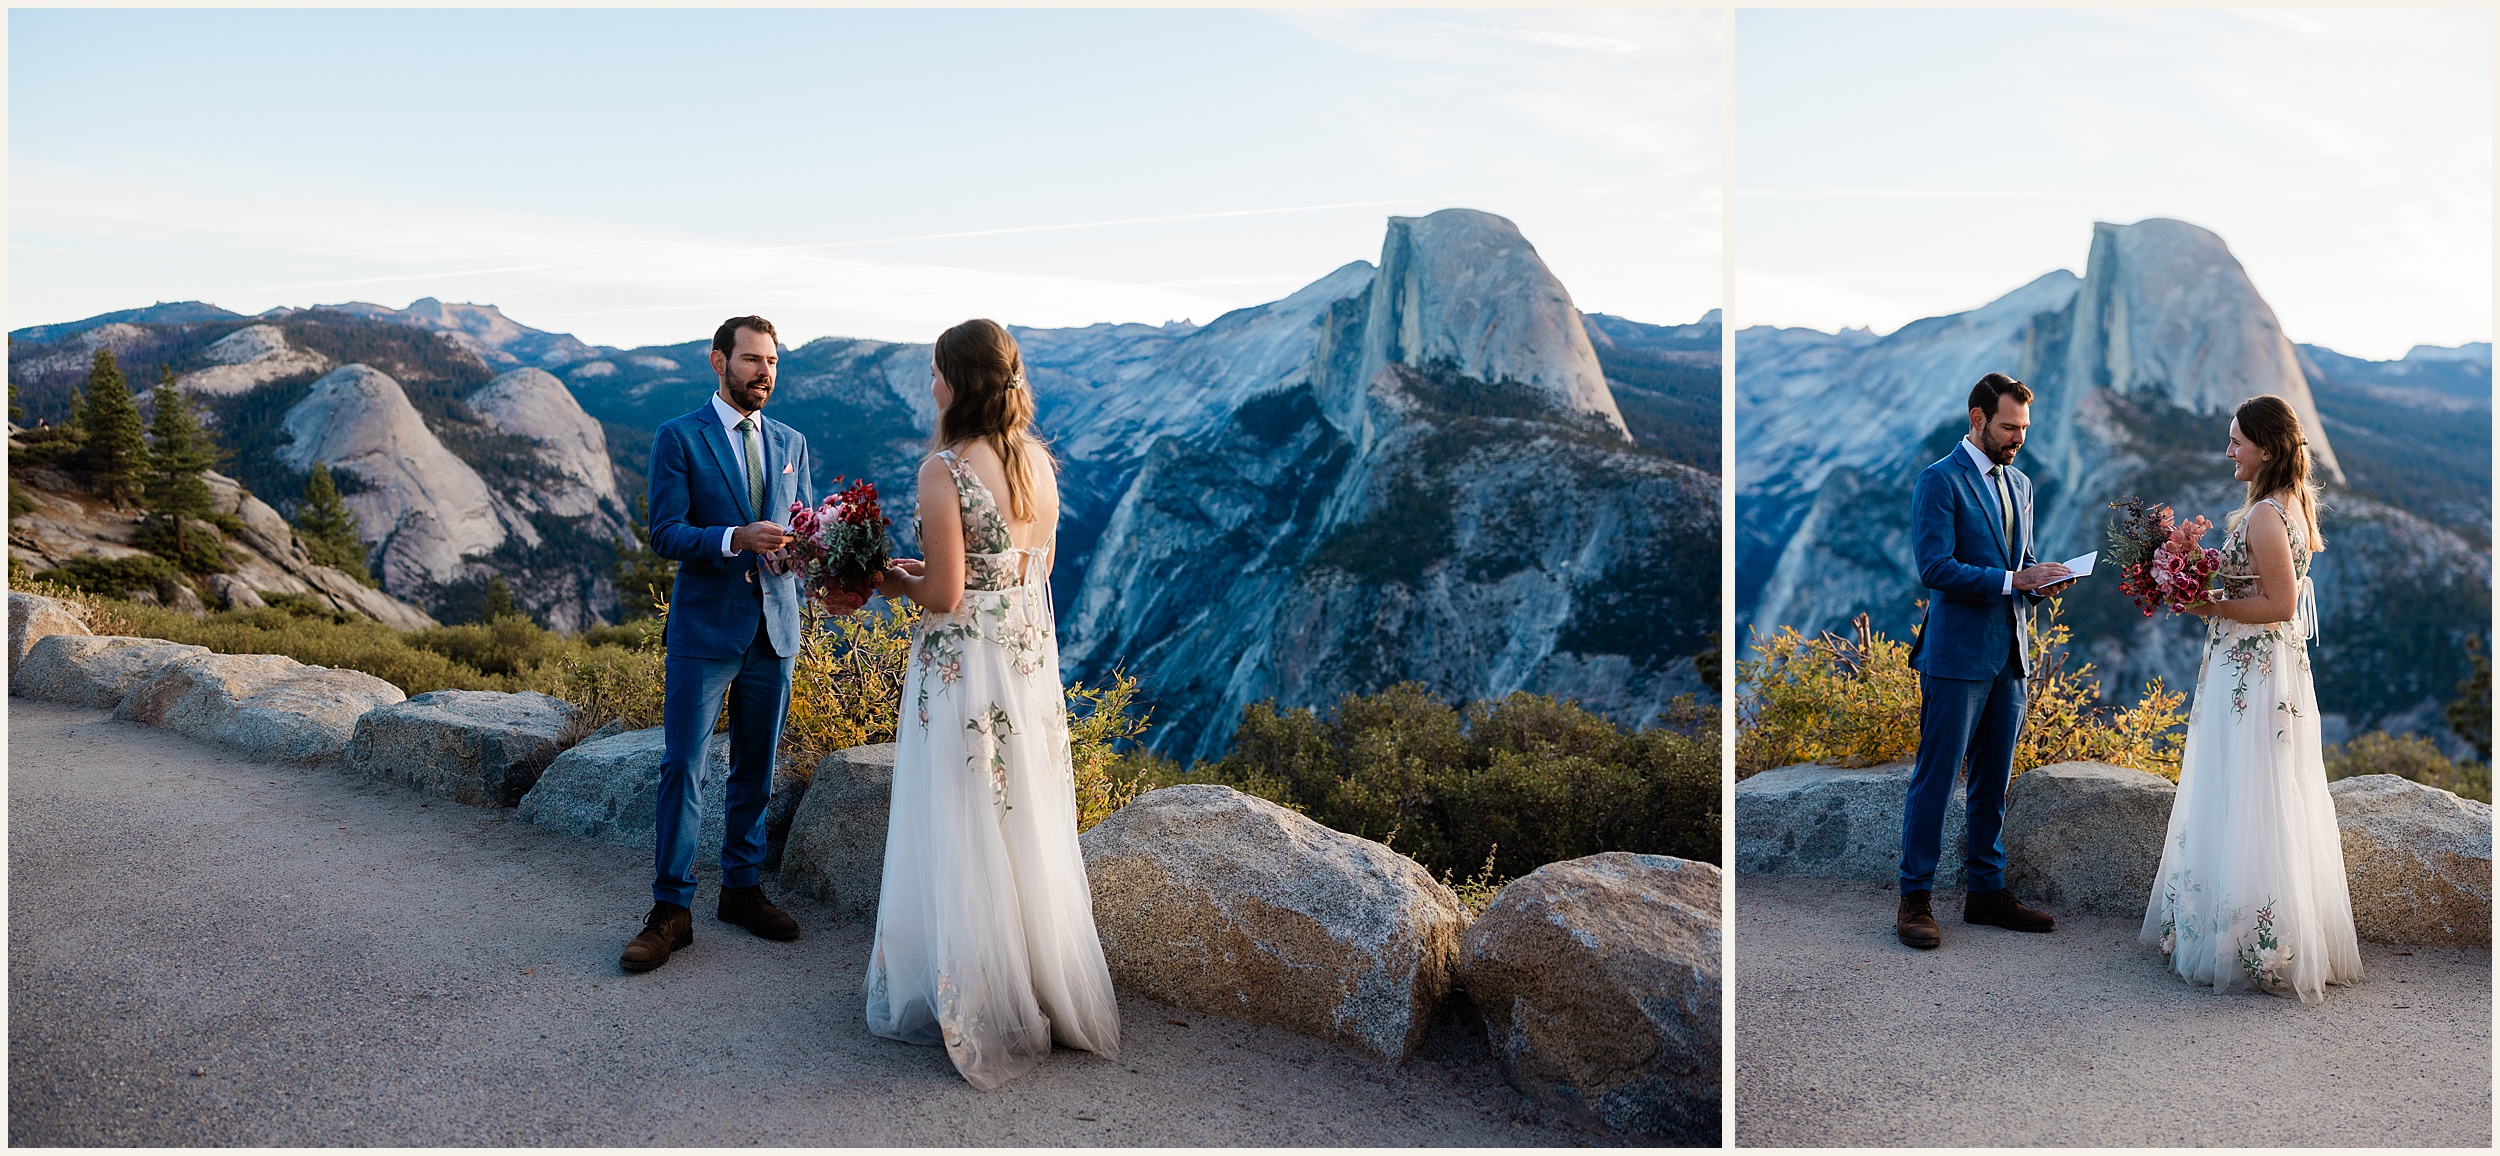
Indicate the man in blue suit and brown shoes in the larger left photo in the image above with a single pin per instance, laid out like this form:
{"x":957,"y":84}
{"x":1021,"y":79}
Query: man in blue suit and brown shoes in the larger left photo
{"x":716,"y":482}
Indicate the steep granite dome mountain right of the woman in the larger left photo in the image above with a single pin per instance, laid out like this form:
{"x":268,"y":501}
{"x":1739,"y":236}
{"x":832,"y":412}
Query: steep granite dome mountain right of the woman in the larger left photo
{"x":1361,"y":519}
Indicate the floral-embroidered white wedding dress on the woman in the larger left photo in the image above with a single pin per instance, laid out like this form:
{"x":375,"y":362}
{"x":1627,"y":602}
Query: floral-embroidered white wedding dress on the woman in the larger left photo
{"x":986,"y":937}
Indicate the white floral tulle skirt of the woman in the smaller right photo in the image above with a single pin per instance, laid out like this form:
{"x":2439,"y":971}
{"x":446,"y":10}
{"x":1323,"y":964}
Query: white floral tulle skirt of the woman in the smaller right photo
{"x":2251,"y":892}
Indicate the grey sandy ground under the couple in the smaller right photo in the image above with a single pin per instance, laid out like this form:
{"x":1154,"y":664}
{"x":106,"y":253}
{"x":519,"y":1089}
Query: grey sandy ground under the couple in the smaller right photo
{"x":1844,"y":1037}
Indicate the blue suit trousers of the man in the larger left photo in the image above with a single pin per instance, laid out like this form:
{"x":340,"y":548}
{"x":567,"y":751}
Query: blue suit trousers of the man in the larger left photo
{"x":759,"y":694}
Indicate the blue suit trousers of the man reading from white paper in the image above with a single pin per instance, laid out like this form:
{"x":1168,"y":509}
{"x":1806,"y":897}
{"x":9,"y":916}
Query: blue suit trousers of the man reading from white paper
{"x":1979,"y":722}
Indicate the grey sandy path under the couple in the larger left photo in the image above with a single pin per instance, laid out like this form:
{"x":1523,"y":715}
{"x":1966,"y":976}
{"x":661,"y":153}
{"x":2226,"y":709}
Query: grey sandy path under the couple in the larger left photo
{"x":209,"y":950}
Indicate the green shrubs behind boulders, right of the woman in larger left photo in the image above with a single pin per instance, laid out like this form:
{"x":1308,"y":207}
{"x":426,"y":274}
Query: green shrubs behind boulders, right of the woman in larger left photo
{"x":1494,"y":787}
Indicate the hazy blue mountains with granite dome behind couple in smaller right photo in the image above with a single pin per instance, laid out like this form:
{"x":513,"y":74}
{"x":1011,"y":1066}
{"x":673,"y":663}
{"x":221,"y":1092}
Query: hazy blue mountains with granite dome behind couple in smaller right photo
{"x":2136,"y":369}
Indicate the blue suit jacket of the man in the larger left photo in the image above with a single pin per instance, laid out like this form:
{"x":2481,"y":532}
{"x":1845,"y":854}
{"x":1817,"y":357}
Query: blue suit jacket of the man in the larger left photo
{"x":699,"y":487}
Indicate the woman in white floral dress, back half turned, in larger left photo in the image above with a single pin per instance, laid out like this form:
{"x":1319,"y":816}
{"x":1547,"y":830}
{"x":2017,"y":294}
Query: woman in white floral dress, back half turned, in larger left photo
{"x":986,"y":937}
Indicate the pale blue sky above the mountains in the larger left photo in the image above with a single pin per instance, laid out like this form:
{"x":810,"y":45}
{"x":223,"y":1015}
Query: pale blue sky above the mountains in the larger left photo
{"x":634,"y":176}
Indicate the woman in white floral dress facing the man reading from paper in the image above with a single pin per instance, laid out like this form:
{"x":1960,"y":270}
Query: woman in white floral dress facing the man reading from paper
{"x":2251,"y":892}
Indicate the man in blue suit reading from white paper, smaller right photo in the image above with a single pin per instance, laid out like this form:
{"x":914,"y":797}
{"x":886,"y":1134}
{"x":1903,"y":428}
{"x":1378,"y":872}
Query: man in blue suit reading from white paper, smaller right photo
{"x":1971,"y":524}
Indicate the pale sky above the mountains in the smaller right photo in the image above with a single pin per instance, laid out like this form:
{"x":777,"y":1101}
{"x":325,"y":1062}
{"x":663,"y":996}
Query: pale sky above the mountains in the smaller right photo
{"x":1896,"y":166}
